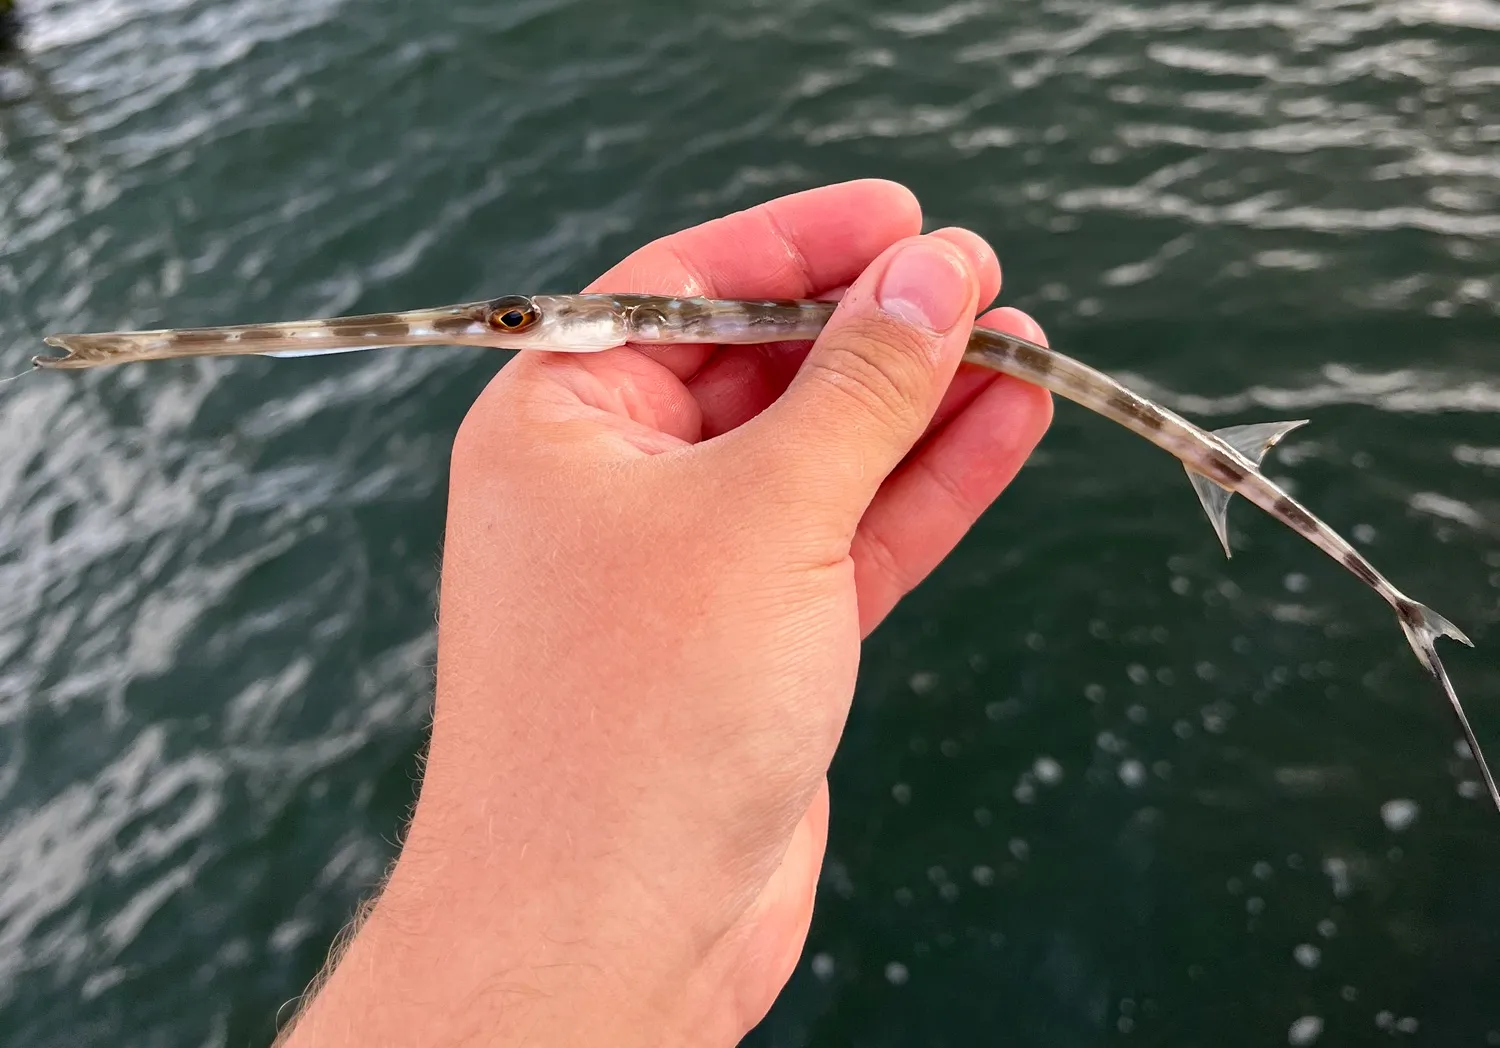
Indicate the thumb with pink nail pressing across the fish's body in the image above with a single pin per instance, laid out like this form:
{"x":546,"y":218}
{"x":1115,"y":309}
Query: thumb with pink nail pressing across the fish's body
{"x":872,"y":382}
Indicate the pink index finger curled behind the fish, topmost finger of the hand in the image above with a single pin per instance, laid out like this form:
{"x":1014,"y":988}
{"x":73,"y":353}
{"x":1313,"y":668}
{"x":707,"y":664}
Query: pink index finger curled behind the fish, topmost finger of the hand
{"x":790,"y":248}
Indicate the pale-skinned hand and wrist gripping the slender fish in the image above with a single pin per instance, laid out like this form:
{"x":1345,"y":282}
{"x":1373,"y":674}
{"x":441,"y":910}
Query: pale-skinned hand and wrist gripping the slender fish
{"x":658,"y":573}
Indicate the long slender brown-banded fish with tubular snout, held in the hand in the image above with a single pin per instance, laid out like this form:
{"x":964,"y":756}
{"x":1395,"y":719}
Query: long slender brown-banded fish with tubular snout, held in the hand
{"x":1220,"y":464}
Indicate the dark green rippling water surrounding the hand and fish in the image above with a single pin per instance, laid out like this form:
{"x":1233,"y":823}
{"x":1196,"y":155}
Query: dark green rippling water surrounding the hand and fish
{"x":1099,"y":785}
